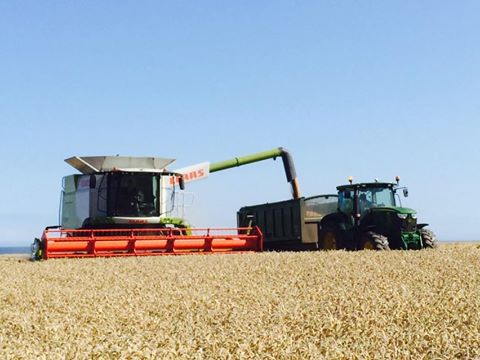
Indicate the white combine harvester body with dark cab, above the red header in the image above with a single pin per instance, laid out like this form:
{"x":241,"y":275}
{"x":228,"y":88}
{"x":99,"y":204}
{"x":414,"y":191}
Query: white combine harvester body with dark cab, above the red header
{"x":117,"y":190}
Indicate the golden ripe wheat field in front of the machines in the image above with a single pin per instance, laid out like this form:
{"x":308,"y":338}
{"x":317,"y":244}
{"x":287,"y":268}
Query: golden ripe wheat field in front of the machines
{"x":305,"y":305}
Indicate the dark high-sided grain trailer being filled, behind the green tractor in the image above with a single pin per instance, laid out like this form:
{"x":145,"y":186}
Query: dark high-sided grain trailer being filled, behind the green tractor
{"x":291,"y":224}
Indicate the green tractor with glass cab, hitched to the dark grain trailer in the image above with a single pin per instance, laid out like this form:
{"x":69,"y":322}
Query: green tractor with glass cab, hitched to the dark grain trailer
{"x":368,"y":217}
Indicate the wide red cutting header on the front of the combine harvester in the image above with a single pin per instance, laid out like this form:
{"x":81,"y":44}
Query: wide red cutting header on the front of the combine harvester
{"x":68,"y":243}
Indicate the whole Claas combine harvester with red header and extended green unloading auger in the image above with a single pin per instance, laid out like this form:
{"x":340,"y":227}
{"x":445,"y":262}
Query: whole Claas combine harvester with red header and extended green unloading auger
{"x":118,"y":206}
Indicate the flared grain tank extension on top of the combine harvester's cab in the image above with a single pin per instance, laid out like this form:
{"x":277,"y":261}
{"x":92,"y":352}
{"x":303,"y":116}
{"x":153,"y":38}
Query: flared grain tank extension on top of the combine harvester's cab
{"x":96,"y":164}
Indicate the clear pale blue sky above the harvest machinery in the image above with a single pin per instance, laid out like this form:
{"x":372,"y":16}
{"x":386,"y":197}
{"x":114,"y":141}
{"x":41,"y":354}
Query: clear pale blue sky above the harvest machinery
{"x":371,"y":89}
